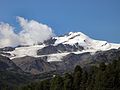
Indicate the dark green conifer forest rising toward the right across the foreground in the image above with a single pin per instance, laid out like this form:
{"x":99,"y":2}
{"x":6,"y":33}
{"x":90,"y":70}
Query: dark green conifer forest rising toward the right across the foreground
{"x":102,"y":77}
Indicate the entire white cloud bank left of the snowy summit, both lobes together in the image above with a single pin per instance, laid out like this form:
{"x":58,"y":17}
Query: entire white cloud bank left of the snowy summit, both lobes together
{"x":32,"y":33}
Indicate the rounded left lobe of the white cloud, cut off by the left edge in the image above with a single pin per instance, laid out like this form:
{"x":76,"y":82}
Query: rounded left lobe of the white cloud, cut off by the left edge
{"x":7,"y":36}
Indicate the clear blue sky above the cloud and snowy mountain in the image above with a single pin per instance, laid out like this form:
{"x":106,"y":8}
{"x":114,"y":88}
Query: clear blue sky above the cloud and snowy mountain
{"x":99,"y":19}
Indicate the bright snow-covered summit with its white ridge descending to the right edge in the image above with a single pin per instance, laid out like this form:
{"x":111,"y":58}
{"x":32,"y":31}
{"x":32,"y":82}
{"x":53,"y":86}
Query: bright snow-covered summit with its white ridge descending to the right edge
{"x":83,"y":40}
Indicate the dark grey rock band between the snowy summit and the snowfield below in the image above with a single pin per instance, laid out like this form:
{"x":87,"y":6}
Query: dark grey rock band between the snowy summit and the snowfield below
{"x":59,"y":48}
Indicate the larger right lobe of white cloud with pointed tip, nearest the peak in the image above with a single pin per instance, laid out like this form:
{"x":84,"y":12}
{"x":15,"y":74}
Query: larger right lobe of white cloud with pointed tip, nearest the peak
{"x":33,"y":32}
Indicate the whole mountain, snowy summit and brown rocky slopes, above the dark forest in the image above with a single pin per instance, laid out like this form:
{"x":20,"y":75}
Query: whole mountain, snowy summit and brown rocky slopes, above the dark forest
{"x":60,"y":53}
